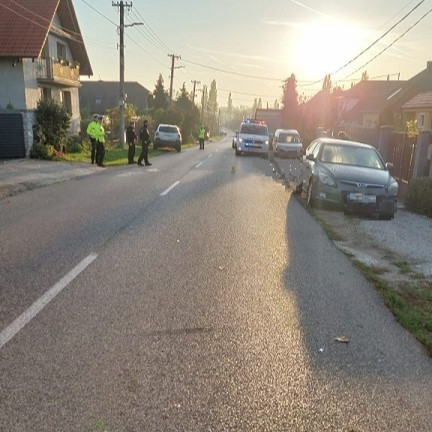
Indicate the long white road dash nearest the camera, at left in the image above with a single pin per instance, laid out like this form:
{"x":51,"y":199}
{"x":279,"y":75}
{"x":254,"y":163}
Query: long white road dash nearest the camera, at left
{"x":9,"y":332}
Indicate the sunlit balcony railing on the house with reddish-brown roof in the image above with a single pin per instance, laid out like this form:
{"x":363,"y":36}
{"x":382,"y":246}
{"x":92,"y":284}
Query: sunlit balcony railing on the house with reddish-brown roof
{"x":58,"y":72}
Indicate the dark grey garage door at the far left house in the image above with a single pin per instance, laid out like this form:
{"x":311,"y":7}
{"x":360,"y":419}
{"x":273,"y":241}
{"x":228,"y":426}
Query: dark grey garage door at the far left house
{"x":11,"y":136}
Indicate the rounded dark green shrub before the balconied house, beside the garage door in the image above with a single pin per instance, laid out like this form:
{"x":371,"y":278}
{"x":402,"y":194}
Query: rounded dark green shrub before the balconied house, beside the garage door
{"x":53,"y":120}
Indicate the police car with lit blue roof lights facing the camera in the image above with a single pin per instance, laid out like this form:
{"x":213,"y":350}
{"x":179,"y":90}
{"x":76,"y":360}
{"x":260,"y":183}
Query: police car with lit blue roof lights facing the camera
{"x":253,"y":138}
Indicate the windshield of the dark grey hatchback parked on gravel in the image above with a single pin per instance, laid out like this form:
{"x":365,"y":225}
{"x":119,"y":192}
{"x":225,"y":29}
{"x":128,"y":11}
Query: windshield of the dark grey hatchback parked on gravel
{"x":351,"y":155}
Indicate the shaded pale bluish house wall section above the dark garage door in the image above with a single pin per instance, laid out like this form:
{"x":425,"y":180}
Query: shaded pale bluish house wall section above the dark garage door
{"x":12,"y":84}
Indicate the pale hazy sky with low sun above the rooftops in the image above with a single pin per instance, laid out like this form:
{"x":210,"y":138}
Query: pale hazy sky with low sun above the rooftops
{"x":250,"y":46}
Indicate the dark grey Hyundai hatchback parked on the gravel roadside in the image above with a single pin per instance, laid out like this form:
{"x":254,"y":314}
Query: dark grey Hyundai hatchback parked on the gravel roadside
{"x":349,"y":174}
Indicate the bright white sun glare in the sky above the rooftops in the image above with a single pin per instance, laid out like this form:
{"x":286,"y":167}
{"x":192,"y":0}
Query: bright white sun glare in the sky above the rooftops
{"x":323,"y":47}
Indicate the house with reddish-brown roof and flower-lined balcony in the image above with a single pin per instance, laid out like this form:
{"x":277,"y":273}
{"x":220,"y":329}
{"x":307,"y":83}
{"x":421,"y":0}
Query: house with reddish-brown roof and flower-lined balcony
{"x":42,"y":55}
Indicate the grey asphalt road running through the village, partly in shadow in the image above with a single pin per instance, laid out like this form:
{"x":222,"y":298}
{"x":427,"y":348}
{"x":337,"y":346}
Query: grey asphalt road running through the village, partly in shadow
{"x":210,"y":302}
